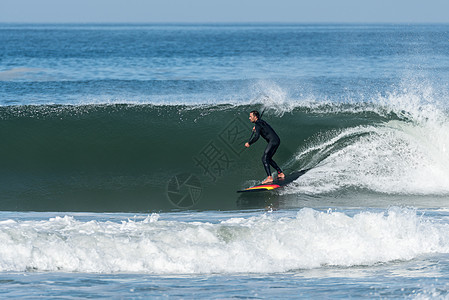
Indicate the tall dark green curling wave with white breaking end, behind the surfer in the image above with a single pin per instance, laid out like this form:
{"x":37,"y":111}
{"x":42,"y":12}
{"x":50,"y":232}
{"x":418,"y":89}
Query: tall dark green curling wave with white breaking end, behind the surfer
{"x":141,"y":157}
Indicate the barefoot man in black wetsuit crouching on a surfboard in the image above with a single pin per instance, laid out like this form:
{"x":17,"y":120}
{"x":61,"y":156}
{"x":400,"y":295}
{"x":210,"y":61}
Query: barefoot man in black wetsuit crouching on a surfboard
{"x":262,"y":128}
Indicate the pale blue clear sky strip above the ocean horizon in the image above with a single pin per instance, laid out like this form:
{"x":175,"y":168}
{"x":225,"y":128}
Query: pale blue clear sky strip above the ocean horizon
{"x":199,"y":11}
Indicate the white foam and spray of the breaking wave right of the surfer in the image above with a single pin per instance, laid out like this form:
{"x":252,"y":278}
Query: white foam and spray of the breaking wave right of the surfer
{"x":406,"y":157}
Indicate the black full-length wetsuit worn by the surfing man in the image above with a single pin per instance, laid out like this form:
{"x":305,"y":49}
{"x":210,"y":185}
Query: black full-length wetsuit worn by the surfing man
{"x":264,"y":129}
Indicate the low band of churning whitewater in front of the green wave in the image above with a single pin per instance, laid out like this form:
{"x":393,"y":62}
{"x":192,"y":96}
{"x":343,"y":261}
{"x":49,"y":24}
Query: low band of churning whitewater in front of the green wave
{"x":260,"y":244}
